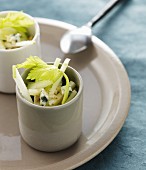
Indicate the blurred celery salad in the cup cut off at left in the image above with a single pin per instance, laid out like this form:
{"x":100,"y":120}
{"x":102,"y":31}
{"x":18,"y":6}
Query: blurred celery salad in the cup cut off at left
{"x":14,"y":30}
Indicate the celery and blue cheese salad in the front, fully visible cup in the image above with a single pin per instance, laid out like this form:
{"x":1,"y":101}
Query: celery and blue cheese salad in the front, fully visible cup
{"x":45,"y":85}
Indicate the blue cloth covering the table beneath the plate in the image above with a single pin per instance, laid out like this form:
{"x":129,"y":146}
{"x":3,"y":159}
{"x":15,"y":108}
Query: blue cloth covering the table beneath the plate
{"x":124,"y":30}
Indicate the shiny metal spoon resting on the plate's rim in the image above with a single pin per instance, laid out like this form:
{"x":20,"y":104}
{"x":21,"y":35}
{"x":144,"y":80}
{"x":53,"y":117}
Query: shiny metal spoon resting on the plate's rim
{"x":77,"y":40}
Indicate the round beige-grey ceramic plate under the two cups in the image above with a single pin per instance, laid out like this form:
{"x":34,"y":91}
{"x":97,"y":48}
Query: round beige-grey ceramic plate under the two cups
{"x":106,"y":105}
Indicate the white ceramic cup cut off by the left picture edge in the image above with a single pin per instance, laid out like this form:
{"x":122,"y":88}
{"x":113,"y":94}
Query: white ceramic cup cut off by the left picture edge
{"x":18,"y":55}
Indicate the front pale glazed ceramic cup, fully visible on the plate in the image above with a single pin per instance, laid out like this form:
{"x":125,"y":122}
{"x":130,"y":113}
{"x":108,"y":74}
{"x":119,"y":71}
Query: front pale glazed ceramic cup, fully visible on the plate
{"x":52,"y":128}
